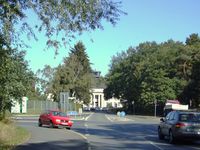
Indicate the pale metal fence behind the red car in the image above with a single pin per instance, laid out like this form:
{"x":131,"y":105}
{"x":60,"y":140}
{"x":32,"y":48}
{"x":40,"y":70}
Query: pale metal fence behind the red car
{"x":36,"y":106}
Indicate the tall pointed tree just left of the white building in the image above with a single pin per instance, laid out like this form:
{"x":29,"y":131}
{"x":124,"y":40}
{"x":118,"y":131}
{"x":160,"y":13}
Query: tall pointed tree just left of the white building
{"x":74,"y":75}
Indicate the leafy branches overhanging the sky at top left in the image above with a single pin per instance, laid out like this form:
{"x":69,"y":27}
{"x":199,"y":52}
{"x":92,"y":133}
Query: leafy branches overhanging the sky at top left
{"x":56,"y":18}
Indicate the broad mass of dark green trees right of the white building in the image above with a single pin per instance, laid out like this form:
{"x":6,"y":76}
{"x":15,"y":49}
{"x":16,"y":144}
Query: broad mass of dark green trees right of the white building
{"x":154,"y":71}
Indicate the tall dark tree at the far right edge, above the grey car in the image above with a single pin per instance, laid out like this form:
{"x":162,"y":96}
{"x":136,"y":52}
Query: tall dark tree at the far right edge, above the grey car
{"x":190,"y":94}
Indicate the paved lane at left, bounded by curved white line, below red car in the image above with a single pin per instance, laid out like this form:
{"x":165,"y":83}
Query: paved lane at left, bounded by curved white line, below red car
{"x":45,"y":138}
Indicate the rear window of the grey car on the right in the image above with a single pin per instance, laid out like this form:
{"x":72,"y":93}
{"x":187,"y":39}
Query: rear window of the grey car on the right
{"x":190,"y":117}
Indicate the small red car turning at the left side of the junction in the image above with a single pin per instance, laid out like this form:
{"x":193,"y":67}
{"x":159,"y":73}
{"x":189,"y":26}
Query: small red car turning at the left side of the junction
{"x":55,"y":119}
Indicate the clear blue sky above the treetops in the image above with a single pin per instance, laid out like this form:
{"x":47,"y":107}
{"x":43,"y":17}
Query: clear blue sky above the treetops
{"x":147,"y":20}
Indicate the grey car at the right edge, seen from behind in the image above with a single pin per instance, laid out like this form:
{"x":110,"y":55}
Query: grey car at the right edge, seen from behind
{"x":180,"y":125}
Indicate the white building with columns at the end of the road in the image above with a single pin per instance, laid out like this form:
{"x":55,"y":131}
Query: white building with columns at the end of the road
{"x":97,"y":100}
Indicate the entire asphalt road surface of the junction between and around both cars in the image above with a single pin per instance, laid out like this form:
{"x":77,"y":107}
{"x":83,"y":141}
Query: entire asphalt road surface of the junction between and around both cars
{"x":101,"y":131}
